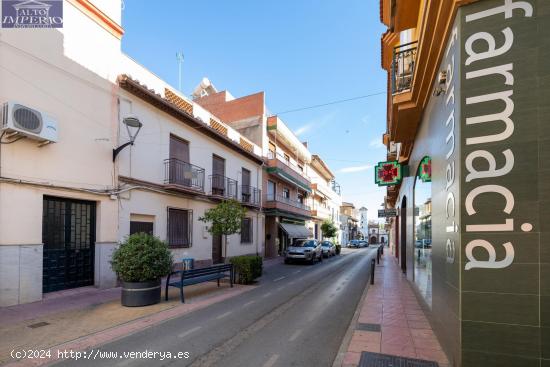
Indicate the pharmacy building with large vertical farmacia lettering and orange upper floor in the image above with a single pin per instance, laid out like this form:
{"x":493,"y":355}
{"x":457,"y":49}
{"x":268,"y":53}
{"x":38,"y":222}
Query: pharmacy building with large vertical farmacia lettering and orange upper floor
{"x":467,"y":127}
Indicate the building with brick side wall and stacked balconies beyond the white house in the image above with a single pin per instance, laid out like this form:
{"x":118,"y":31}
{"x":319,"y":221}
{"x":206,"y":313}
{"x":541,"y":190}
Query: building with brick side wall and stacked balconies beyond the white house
{"x":286,"y":182}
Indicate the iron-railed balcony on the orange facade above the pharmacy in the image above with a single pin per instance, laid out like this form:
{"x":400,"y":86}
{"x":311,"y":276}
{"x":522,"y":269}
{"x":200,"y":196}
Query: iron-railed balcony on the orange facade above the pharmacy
{"x":402,"y":70}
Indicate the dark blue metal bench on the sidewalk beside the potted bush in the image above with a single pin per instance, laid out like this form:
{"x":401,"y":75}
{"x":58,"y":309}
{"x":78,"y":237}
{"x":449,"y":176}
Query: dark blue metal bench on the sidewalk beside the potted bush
{"x":195,"y":276}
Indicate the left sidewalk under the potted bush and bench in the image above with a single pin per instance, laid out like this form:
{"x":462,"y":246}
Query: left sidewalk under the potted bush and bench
{"x":83,"y":318}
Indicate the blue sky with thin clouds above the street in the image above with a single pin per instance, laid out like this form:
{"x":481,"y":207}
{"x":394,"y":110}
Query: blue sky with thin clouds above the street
{"x":300,"y":52}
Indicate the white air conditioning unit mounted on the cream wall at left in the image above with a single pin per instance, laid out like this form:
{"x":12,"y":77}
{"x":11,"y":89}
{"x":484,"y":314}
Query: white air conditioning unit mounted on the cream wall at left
{"x":26,"y":121}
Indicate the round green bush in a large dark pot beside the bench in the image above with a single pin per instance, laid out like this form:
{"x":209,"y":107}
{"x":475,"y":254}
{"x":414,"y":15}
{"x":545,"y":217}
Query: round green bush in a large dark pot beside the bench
{"x":140,"y":262}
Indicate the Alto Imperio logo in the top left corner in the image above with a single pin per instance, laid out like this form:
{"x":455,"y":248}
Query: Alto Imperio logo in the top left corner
{"x":32,"y":13}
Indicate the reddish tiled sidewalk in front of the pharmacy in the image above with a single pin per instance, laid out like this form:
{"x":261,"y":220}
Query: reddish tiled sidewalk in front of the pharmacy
{"x":391,"y":321}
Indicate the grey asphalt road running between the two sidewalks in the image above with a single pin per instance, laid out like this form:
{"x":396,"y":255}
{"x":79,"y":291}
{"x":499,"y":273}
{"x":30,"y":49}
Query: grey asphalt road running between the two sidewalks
{"x":297,"y":316}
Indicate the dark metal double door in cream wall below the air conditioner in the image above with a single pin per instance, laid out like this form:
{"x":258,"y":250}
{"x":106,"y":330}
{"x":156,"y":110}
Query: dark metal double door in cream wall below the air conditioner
{"x":68,"y":235}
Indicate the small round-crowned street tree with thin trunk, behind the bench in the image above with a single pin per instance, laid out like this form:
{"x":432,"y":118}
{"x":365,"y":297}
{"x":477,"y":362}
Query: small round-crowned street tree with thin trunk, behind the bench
{"x":225,"y":219}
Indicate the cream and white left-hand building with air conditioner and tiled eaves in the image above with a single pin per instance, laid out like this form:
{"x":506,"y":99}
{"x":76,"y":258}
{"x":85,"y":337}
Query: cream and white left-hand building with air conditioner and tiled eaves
{"x":69,"y":192}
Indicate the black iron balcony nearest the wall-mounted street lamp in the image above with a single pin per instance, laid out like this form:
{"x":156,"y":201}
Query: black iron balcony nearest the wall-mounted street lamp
{"x":180,"y":175}
